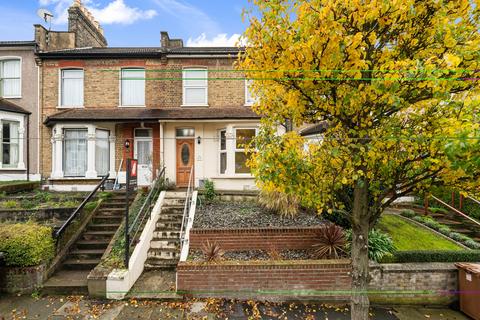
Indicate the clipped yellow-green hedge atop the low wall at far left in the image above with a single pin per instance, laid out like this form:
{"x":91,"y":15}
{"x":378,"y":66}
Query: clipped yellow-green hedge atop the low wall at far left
{"x":26,"y":244}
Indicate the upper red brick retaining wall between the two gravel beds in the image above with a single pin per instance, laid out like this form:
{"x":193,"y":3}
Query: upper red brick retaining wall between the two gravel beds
{"x":255,"y":238}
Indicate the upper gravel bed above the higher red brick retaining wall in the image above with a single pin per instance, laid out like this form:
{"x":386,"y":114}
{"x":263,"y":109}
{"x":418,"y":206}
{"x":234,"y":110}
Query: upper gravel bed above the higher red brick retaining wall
{"x":234,"y":215}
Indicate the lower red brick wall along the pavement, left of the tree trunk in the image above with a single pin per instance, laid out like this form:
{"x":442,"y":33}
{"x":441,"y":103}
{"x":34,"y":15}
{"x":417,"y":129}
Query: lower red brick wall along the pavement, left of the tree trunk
{"x":322,"y":278}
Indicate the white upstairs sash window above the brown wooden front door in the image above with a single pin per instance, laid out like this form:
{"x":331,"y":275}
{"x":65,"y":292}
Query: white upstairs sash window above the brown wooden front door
{"x":195,"y":87}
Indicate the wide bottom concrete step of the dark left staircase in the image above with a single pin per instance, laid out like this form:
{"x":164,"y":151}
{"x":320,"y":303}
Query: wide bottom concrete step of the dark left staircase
{"x":67,"y":282}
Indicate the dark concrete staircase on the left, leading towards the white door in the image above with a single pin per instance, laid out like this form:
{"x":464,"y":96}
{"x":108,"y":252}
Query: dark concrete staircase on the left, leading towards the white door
{"x":86,"y":252}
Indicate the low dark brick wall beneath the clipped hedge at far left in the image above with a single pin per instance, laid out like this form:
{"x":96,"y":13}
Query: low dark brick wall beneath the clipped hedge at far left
{"x":21,"y":279}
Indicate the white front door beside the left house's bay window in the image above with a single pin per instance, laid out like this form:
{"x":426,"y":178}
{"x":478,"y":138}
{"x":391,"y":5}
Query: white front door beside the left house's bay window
{"x":143,"y":152}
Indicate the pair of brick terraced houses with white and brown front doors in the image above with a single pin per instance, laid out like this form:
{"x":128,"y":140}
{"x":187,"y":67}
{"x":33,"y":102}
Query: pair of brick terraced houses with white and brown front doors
{"x":182,"y":108}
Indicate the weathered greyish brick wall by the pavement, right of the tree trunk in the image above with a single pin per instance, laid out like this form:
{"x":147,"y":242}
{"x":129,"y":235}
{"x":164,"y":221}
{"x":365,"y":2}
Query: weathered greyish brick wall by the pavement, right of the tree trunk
{"x":414,"y":283}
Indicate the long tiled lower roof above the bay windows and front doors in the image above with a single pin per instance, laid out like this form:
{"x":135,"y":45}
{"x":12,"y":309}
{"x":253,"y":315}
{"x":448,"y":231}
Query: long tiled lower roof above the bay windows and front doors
{"x":150,"y":114}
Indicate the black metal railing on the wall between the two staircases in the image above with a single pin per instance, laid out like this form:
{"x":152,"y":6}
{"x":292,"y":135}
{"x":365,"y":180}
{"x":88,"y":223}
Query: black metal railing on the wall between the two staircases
{"x":134,"y":228}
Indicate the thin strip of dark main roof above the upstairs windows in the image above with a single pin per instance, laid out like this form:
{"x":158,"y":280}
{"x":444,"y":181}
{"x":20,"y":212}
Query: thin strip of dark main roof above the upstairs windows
{"x":140,"y":52}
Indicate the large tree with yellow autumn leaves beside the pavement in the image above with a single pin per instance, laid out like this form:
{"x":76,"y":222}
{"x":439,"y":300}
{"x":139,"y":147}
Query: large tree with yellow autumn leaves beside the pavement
{"x":397,"y":82}
